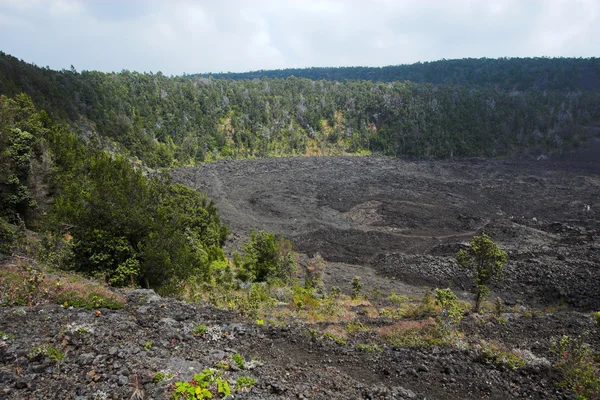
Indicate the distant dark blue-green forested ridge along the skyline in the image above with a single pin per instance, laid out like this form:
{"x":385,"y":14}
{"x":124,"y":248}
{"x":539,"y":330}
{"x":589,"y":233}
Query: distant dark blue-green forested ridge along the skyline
{"x":505,"y":73}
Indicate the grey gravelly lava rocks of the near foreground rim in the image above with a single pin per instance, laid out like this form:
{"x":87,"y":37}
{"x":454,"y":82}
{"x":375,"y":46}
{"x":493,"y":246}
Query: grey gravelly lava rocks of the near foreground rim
{"x":117,"y":354}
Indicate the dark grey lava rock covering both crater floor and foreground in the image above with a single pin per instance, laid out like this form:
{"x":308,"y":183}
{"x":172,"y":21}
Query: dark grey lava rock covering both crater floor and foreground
{"x":398,"y":224}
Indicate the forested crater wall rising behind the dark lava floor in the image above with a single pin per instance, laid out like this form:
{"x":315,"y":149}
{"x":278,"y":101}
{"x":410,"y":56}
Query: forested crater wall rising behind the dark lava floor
{"x":170,"y":121}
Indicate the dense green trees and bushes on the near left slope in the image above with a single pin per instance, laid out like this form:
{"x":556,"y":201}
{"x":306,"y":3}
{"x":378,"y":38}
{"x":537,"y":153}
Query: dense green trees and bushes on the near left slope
{"x":96,"y":213}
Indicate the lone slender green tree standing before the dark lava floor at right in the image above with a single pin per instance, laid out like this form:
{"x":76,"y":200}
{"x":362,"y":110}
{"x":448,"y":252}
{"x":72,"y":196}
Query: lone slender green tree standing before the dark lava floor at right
{"x":485,"y":260}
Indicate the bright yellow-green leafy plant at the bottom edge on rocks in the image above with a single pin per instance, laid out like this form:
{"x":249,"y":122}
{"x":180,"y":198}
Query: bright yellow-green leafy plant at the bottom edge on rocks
{"x":205,"y":385}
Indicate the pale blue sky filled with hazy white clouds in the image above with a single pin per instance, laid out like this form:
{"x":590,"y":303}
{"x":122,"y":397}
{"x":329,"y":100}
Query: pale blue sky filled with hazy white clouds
{"x":195,"y":36}
